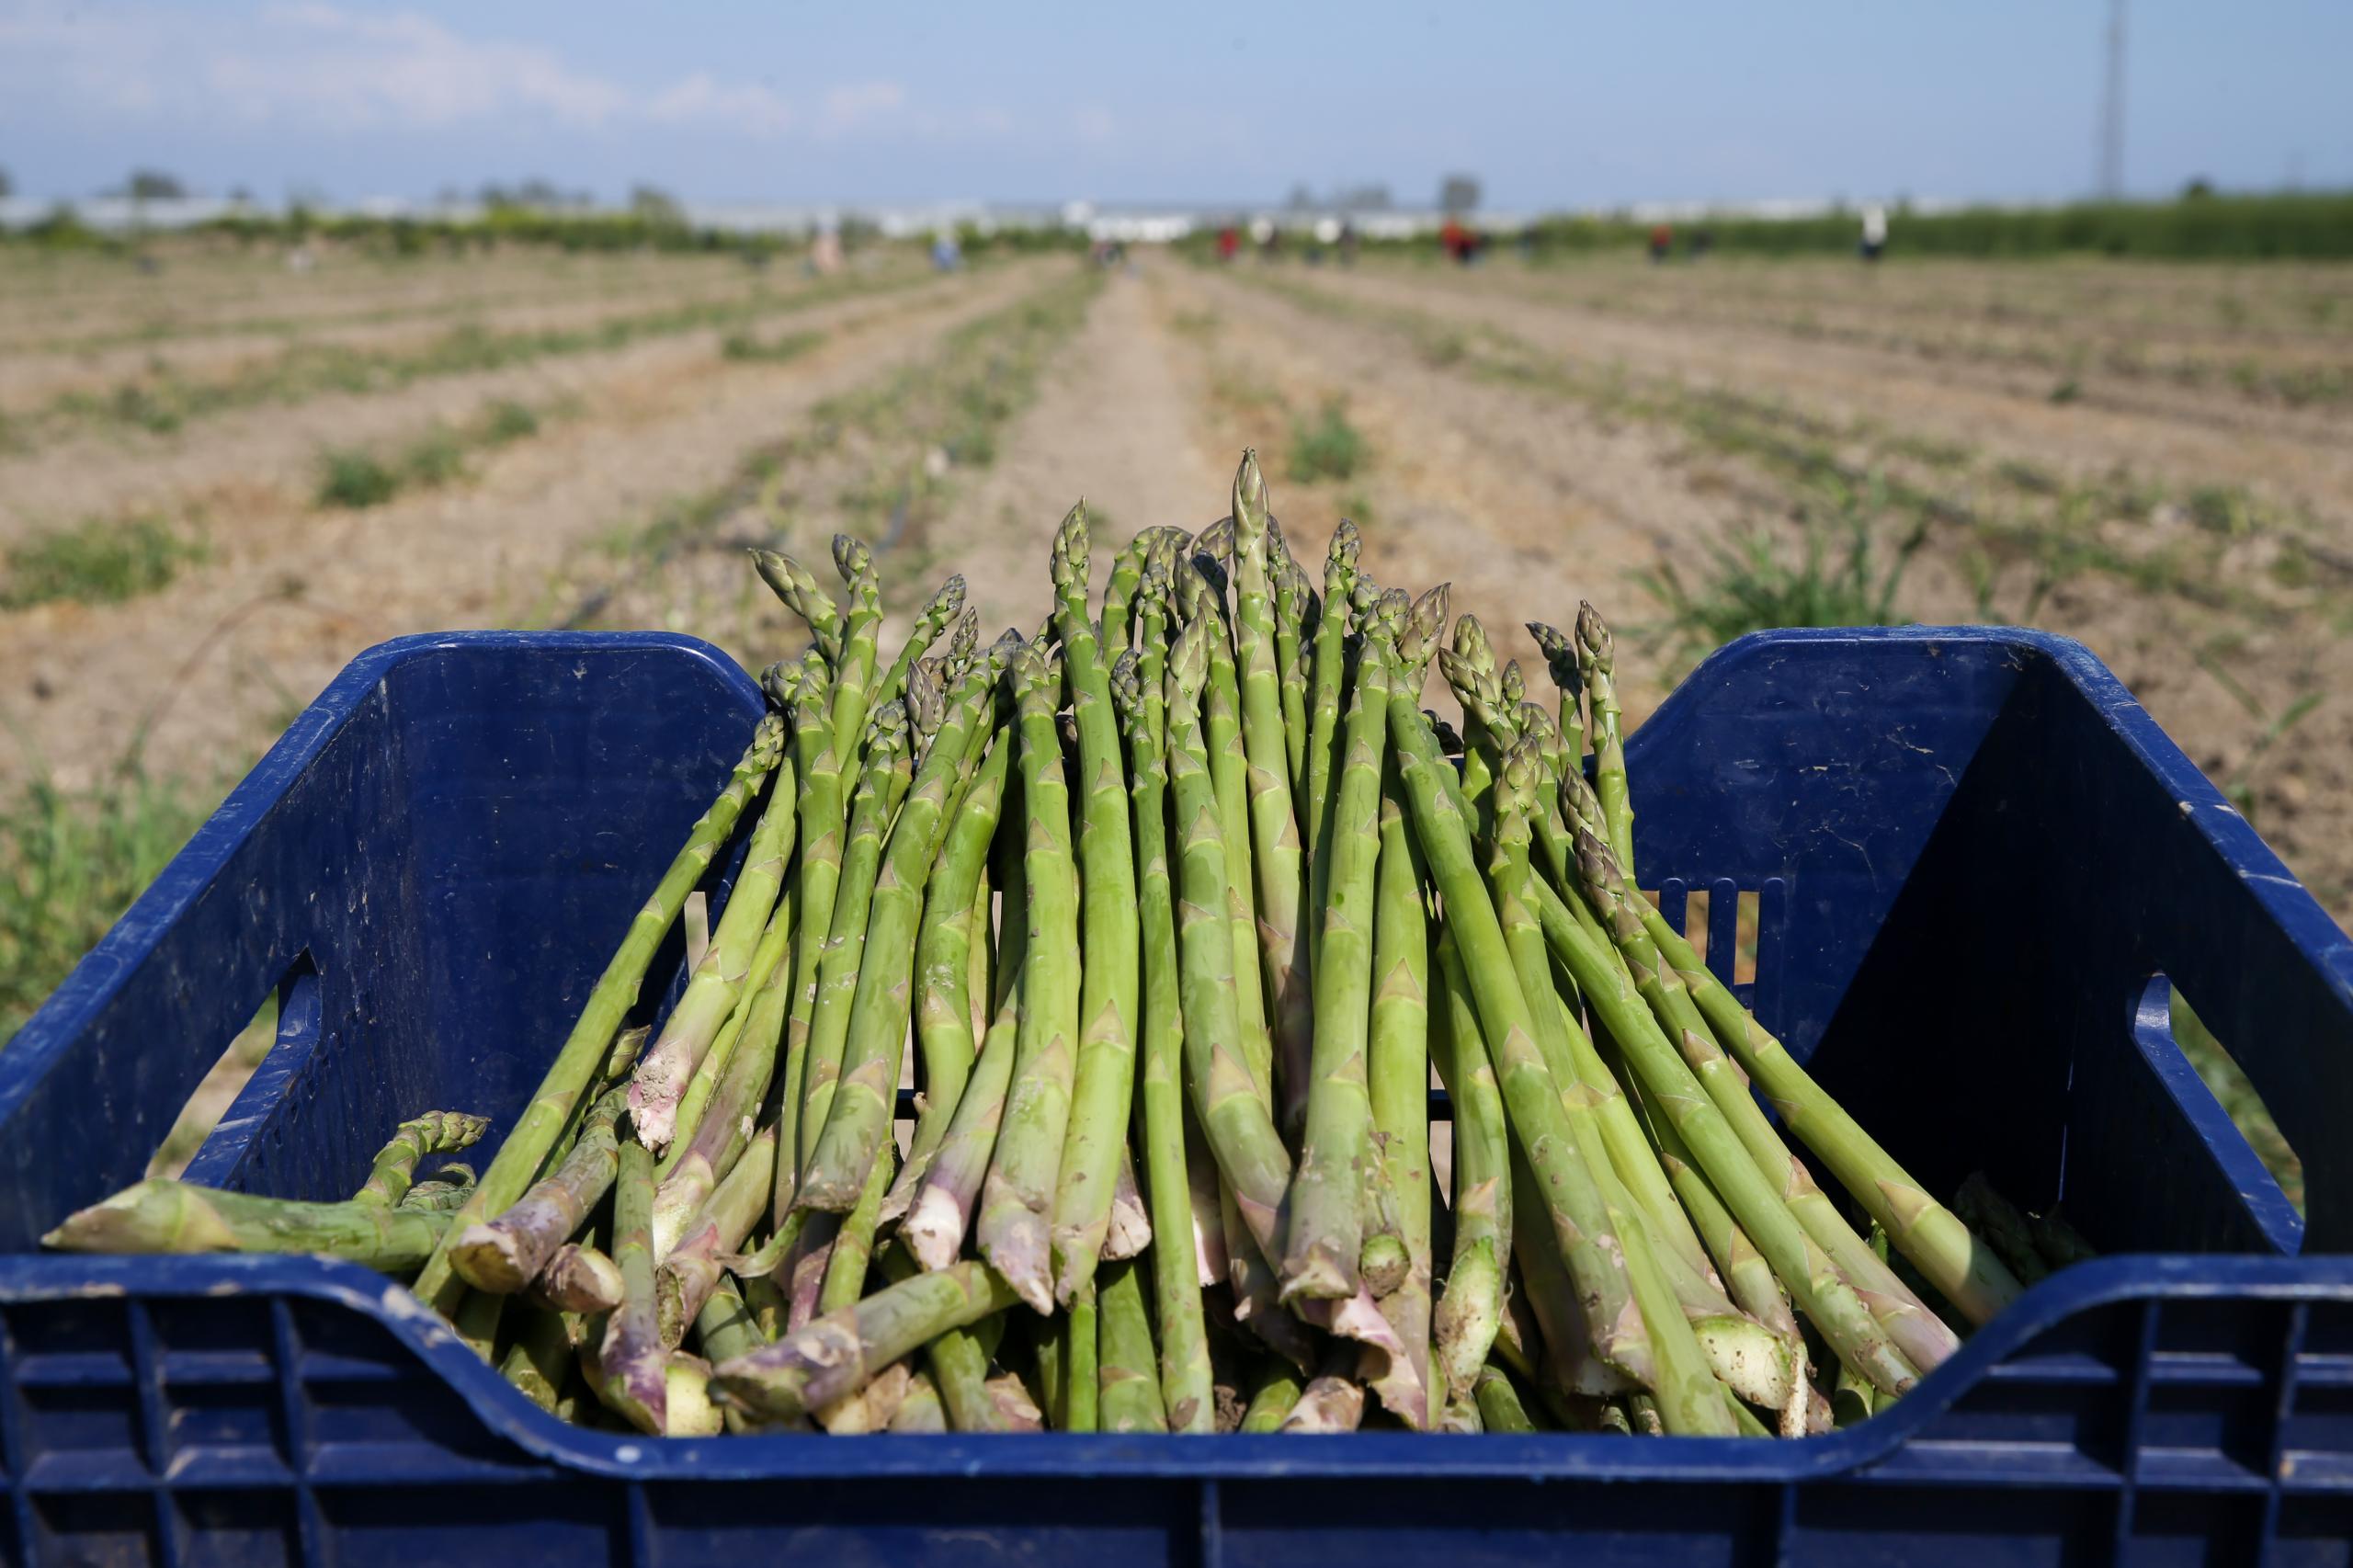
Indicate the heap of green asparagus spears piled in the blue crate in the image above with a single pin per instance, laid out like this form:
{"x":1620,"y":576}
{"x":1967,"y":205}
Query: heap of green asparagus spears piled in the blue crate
{"x":1180,"y":901}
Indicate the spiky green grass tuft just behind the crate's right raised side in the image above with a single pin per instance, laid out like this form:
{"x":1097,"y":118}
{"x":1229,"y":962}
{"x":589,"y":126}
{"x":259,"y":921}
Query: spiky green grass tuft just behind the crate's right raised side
{"x":1754,"y":585}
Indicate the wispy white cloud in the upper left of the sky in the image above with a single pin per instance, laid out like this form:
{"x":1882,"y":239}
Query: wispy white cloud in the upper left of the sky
{"x":321,"y":67}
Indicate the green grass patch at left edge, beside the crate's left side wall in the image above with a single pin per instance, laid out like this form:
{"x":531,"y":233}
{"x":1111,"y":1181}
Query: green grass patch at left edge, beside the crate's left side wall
{"x":69,"y":865}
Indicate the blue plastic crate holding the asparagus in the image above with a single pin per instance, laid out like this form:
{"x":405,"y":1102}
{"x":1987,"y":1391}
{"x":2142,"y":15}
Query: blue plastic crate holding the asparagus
{"x":1973,"y":856}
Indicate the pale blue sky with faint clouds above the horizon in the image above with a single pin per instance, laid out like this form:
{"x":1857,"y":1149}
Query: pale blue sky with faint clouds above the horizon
{"x":794,"y":102}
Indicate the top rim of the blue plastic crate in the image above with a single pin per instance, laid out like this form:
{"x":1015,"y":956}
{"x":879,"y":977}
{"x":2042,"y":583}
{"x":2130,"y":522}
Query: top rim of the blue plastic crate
{"x":509,"y":1416}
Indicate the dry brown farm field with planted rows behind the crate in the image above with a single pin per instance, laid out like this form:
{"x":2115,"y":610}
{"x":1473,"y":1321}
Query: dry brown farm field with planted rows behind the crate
{"x":2147,"y":458}
